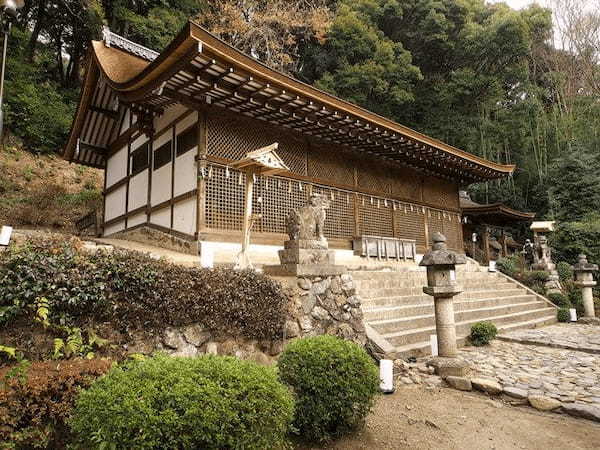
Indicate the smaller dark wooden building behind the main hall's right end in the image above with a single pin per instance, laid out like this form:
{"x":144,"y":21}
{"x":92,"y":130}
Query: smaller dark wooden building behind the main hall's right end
{"x":485,"y":229}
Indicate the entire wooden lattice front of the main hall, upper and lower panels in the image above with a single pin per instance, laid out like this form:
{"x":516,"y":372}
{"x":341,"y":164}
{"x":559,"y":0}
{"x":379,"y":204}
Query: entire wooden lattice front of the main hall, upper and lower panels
{"x":339,"y":174}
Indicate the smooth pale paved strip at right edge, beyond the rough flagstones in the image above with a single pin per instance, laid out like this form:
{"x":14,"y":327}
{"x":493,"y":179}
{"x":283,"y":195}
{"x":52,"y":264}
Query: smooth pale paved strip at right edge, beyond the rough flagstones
{"x":585,"y":338}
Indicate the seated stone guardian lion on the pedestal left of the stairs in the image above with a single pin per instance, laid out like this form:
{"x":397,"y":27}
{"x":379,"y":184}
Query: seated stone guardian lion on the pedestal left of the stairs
{"x":307,"y":222}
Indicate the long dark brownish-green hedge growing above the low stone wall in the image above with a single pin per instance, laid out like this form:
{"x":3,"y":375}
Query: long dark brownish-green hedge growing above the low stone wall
{"x":132,"y":290}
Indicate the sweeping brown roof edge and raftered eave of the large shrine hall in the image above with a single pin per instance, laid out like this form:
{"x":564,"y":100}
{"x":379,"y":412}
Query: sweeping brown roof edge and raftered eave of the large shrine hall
{"x":138,"y":80}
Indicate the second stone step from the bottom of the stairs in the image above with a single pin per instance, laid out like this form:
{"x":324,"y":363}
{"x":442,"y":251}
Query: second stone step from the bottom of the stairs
{"x":391,"y":325}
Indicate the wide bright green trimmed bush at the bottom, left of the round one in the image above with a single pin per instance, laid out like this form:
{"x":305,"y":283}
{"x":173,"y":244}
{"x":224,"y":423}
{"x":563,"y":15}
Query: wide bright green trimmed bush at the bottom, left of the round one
{"x":210,"y":402}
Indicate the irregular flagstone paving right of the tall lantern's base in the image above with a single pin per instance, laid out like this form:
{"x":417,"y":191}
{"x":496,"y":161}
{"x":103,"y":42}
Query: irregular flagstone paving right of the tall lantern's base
{"x":565,"y":375}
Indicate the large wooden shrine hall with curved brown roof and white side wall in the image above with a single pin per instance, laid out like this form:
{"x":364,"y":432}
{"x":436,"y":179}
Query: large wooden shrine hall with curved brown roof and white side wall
{"x":167,"y":129}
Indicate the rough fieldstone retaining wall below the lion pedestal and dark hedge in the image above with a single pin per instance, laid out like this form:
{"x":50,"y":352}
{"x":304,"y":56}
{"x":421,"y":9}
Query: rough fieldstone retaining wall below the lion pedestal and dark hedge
{"x":317,"y":305}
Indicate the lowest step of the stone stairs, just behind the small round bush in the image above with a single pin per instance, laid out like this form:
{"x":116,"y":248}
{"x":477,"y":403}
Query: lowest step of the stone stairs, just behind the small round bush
{"x":421,"y":334}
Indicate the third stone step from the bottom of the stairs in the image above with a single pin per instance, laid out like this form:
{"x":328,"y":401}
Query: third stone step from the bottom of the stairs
{"x":376,"y":313}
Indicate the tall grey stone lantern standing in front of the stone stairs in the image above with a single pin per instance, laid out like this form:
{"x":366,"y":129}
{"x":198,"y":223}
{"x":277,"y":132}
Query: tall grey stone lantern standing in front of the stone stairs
{"x":442,"y":286}
